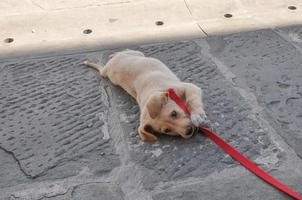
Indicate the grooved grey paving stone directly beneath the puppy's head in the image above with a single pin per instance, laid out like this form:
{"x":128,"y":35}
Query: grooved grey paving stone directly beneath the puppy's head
{"x":175,"y":158}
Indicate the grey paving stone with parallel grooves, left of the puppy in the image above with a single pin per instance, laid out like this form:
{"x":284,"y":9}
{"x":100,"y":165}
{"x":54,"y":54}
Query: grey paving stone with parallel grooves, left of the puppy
{"x":52,"y":112}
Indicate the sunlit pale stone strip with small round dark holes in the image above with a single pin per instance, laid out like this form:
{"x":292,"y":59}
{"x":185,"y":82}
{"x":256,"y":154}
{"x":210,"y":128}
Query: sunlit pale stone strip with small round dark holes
{"x":39,"y":26}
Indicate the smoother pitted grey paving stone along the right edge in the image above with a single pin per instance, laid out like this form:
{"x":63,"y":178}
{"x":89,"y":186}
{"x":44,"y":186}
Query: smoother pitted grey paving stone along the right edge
{"x":270,"y":67}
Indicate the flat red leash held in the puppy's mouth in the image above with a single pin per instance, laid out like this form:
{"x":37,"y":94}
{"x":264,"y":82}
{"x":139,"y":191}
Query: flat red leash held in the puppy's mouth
{"x":235,"y":154}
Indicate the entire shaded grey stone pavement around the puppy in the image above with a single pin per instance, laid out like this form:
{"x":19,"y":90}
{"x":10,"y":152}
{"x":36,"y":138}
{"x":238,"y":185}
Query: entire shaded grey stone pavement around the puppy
{"x":65,"y":133}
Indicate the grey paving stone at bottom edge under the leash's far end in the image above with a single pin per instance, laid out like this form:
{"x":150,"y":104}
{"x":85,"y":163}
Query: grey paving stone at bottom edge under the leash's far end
{"x":231,"y":188}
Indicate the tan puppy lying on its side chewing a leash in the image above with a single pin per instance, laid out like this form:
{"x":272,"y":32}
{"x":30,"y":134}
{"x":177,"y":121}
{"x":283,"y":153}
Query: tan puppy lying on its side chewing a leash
{"x":146,"y":80}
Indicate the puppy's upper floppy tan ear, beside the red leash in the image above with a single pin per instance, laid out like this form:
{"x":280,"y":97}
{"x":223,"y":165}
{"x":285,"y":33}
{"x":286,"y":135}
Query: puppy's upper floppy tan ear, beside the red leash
{"x":155,"y":103}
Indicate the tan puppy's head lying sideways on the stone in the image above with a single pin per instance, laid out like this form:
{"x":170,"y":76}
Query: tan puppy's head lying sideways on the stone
{"x":163,"y":115}
